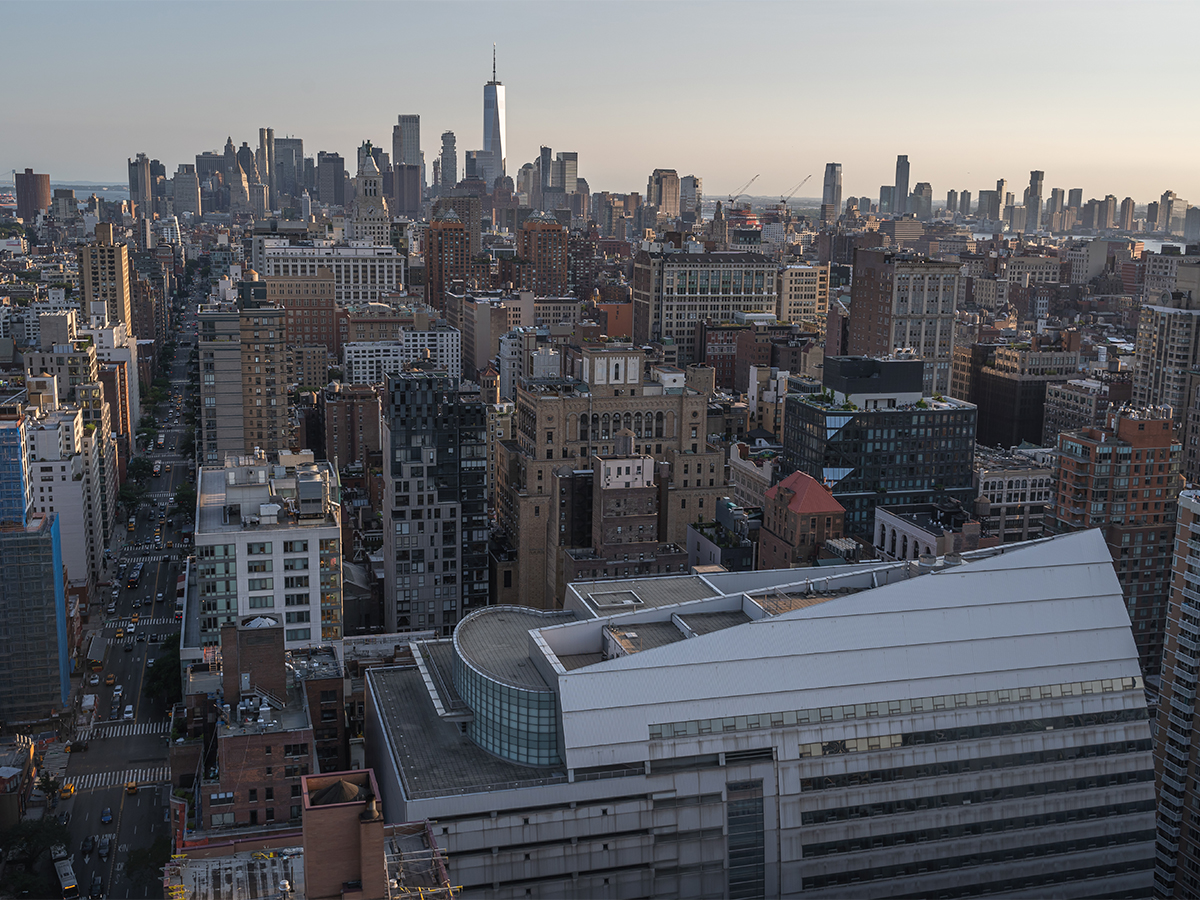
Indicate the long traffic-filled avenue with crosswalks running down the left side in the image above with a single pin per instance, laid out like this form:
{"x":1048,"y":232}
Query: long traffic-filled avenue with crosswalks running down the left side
{"x":135,"y":749}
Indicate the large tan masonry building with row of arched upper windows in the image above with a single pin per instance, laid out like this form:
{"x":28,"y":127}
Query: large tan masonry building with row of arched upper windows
{"x":572,"y":418}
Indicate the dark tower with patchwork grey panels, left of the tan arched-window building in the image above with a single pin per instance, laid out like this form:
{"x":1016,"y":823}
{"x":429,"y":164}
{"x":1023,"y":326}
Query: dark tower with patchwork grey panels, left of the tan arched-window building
{"x":435,"y":439}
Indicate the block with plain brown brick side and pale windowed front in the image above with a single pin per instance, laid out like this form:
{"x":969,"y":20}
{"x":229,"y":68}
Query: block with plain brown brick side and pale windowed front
{"x":903,"y":302}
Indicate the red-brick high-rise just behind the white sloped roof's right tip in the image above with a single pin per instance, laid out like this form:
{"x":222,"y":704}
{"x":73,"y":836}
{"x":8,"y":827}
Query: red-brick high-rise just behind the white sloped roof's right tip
{"x":1137,"y":454}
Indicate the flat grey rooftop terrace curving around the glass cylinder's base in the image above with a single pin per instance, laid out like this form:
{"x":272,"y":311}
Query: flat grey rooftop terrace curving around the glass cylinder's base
{"x":434,"y":757}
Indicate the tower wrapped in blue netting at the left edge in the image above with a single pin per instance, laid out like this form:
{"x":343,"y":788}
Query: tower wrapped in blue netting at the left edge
{"x":35,"y":679}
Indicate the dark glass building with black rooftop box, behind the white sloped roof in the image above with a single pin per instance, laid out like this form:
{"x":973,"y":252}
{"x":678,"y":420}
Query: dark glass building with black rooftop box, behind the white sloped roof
{"x":877,"y":439}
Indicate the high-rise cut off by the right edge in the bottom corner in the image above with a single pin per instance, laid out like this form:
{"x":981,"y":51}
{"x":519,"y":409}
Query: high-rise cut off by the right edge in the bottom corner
{"x":1177,"y":736}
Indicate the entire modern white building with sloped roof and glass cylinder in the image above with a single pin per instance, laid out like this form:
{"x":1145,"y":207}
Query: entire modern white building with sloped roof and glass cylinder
{"x":887,"y":730}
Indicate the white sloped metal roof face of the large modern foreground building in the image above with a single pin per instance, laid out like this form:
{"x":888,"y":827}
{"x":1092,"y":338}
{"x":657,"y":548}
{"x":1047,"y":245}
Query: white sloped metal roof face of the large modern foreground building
{"x":1048,"y":614}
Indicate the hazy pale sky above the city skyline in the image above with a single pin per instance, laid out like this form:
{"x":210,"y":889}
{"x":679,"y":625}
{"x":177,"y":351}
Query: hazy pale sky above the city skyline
{"x":1094,"y":94}
